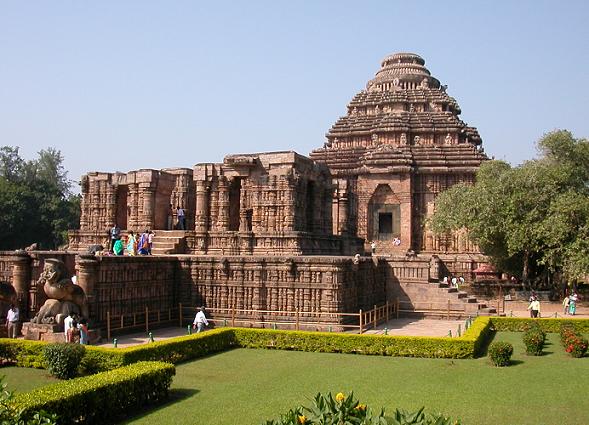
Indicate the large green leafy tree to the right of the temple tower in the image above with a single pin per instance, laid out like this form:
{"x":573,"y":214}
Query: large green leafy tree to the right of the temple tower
{"x":531,"y":220}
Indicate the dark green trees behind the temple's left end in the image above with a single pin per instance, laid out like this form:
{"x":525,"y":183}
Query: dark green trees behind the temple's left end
{"x":36,"y":202}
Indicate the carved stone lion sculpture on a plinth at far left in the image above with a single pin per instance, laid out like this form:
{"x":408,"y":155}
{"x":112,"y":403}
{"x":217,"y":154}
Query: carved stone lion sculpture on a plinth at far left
{"x":64,"y":297}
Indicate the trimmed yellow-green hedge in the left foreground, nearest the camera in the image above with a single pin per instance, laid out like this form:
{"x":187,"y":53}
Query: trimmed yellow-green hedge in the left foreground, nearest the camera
{"x":103,"y":397}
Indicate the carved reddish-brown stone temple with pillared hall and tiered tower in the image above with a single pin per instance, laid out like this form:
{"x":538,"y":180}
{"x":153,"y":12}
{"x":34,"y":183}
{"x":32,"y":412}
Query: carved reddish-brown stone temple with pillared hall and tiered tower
{"x":271,"y":234}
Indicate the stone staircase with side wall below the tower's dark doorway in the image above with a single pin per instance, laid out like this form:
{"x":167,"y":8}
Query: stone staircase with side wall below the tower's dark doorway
{"x":435,"y":299}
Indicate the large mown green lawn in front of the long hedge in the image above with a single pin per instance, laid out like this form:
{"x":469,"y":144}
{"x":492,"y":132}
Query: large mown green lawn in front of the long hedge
{"x":248,"y":386}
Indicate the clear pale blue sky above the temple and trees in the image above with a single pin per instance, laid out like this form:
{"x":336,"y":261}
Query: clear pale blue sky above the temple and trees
{"x":122,"y":85}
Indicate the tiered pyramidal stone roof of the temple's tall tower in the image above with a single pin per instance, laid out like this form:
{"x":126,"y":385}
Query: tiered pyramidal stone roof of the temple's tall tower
{"x":404,"y":116}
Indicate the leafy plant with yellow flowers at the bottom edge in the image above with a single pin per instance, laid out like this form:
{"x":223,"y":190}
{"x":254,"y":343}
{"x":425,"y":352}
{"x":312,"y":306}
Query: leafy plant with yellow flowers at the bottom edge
{"x":327,"y":410}
